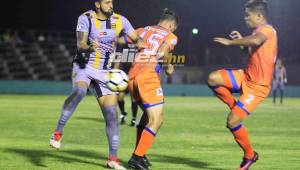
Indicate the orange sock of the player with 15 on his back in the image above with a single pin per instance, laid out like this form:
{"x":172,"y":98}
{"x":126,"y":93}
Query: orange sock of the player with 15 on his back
{"x":145,"y":143}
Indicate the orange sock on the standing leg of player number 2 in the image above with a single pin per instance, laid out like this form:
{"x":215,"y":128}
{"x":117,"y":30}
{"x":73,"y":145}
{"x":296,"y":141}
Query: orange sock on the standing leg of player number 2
{"x":241,"y":137}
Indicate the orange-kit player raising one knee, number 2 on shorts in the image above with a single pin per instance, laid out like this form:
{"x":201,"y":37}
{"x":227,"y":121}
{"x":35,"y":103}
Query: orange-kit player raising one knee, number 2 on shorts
{"x":253,"y":82}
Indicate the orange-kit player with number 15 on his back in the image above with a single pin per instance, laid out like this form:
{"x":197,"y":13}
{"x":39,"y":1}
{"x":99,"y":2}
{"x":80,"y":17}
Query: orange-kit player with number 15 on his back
{"x":144,"y":83}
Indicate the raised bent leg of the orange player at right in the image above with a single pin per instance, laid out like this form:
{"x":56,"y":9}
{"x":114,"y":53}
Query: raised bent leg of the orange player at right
{"x":223,"y":83}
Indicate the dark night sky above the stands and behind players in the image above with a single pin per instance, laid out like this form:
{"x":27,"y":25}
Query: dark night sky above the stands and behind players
{"x":212,"y":18}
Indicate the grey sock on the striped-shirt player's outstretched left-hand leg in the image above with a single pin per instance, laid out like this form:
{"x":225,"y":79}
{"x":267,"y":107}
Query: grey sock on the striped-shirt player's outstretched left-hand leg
{"x":69,"y":106}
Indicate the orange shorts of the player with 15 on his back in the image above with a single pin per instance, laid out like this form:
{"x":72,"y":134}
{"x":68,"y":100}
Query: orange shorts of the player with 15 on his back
{"x":146,"y":89}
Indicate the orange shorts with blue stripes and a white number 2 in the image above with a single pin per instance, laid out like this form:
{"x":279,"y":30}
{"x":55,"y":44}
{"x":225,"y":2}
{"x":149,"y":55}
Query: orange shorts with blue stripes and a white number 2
{"x":251,"y":94}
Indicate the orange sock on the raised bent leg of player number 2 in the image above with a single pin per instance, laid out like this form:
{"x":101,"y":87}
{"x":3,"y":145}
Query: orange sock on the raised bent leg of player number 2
{"x":225,"y":95}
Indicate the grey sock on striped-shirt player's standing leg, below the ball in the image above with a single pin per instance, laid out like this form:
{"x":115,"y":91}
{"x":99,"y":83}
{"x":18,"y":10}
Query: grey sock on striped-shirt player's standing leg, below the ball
{"x":112,"y":128}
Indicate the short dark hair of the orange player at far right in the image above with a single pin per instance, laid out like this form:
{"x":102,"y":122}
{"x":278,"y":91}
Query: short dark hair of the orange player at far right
{"x":259,"y":6}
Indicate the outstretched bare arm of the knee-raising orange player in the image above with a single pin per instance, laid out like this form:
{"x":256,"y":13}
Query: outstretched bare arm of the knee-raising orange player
{"x":253,"y":40}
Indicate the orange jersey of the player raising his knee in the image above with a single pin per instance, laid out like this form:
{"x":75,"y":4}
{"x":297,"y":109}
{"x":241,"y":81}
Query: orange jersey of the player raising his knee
{"x":260,"y":66}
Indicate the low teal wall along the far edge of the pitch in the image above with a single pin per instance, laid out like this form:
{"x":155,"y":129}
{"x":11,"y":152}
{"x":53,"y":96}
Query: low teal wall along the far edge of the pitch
{"x":63,"y":88}
